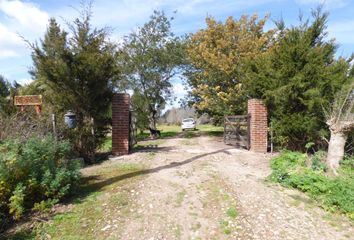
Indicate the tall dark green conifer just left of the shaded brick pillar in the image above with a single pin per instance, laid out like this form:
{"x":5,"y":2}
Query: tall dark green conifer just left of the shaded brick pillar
{"x":76,"y":72}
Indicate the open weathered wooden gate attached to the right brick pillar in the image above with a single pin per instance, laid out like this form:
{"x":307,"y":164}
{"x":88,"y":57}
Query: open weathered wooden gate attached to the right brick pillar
{"x":236,"y":131}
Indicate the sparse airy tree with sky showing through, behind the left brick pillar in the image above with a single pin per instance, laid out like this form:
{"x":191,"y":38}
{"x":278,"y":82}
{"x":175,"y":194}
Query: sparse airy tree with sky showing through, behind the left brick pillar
{"x":150,"y":59}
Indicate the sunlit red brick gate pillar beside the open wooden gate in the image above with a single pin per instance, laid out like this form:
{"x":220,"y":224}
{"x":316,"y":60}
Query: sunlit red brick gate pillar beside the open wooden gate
{"x":258,"y":125}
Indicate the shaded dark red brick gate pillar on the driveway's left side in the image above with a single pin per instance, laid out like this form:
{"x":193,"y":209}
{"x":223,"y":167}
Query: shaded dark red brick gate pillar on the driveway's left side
{"x":120,"y":124}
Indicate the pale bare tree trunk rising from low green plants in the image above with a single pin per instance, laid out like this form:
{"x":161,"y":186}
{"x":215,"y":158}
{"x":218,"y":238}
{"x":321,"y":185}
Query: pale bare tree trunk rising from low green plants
{"x":335,"y":150}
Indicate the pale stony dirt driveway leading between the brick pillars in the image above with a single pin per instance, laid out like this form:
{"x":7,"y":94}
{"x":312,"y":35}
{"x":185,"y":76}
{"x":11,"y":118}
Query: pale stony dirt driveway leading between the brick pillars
{"x":199,"y":188}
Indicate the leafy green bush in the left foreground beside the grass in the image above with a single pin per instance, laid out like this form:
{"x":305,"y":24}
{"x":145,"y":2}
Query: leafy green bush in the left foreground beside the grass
{"x":33,"y":173}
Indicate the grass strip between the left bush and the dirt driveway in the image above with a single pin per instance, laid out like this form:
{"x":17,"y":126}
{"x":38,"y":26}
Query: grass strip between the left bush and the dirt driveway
{"x":98,"y":196}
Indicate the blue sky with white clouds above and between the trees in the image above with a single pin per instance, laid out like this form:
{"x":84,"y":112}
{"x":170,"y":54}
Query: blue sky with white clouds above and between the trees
{"x":28,"y":19}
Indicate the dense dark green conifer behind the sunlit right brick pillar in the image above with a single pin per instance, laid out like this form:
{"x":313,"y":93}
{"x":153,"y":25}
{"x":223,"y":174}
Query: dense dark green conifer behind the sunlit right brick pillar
{"x":297,"y":77}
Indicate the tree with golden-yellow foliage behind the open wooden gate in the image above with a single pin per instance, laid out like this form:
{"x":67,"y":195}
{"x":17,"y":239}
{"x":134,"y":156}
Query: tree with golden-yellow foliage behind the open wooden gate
{"x":218,"y":56}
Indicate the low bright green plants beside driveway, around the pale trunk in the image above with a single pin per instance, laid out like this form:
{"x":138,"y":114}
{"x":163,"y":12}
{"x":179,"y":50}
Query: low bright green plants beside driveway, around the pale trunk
{"x":333,"y":193}
